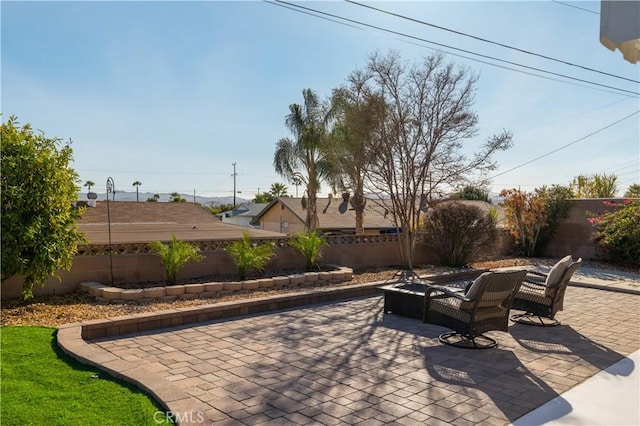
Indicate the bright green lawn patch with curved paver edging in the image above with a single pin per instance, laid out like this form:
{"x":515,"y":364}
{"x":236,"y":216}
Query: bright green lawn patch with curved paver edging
{"x":42,"y":385}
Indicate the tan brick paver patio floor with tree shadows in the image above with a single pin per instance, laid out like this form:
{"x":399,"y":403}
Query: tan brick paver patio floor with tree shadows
{"x":348,"y":363}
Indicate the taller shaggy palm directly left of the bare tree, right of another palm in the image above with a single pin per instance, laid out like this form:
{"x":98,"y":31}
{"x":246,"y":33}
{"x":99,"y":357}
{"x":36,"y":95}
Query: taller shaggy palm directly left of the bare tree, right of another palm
{"x":359,"y":114}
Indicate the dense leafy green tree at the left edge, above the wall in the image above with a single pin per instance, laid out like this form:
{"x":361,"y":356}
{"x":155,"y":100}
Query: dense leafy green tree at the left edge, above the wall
{"x":39,"y":233}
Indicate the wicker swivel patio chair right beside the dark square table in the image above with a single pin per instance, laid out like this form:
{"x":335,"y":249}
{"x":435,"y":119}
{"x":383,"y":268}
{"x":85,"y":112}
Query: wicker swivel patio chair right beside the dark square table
{"x":484,"y":306}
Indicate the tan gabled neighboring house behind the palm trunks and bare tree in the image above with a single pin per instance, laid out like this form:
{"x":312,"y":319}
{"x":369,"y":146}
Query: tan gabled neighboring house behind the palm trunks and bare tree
{"x":335,"y":216}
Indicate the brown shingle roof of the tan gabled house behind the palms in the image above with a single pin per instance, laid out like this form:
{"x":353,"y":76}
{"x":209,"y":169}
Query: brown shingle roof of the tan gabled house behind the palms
{"x":334,"y":213}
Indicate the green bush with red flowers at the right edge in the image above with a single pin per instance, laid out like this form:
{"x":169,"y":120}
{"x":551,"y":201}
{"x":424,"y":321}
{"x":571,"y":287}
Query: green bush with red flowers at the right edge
{"x":617,"y":232}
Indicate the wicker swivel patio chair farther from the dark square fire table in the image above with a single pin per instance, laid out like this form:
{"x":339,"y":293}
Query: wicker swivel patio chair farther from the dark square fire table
{"x":541,"y":296}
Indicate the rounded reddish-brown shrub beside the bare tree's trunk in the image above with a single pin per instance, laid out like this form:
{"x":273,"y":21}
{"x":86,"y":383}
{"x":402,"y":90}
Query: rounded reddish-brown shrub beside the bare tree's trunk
{"x":457,"y":232}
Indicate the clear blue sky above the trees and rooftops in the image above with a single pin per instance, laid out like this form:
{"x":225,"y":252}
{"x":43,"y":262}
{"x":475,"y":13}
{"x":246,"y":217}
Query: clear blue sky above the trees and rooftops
{"x":172,"y":93}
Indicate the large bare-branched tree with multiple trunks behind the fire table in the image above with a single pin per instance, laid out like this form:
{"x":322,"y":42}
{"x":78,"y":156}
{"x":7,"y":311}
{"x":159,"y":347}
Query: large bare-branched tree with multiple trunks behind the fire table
{"x":419,"y":149}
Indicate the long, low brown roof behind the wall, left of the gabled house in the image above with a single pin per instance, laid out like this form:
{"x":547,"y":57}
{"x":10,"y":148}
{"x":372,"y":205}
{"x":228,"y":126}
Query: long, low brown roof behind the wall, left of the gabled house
{"x":132,"y":222}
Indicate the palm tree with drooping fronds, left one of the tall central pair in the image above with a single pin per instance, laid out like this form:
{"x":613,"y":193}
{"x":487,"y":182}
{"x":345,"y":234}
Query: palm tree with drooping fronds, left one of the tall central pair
{"x":305,"y":157}
